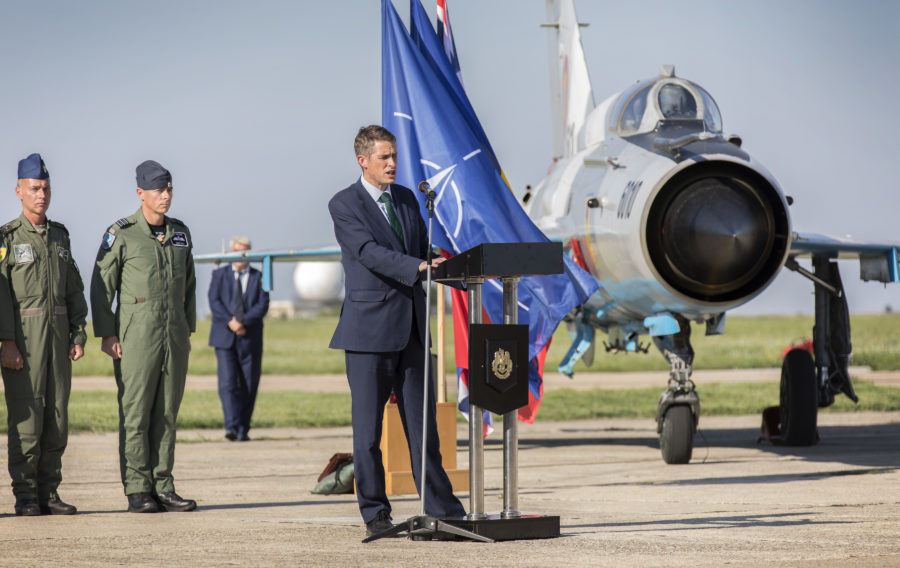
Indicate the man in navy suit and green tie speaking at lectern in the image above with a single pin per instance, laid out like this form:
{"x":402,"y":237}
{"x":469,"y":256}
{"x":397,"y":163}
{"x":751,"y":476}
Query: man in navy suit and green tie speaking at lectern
{"x":384,"y":244}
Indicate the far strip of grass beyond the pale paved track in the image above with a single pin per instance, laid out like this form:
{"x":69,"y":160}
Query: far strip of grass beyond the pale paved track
{"x":300,"y":347}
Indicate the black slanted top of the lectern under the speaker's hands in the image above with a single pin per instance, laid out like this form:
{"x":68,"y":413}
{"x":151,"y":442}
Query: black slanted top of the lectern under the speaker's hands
{"x":498,"y":260}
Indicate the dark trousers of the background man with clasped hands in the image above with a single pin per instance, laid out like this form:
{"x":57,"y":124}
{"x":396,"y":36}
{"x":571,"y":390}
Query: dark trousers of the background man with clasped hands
{"x":239,"y":370}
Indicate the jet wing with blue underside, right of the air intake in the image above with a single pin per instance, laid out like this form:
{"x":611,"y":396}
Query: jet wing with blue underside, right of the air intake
{"x":877,"y":261}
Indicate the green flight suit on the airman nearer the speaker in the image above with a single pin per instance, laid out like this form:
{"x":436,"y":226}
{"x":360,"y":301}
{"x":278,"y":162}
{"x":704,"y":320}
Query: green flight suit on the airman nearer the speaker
{"x":154,"y":318}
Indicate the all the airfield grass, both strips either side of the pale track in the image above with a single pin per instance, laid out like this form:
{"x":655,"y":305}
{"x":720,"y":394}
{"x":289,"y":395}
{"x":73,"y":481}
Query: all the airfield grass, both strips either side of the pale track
{"x":301,"y":347}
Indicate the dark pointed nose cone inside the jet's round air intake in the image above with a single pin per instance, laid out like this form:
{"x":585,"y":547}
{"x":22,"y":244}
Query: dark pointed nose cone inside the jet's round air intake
{"x":717,"y":234}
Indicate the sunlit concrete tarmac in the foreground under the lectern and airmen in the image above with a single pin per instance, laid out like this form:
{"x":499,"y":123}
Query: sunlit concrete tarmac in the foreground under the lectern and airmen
{"x":738,"y":503}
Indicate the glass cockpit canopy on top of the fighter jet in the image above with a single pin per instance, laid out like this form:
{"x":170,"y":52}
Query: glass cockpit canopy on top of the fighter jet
{"x":640,"y":109}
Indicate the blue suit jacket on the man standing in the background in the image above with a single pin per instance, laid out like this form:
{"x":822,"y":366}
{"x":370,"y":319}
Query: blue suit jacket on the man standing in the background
{"x":221,"y":294}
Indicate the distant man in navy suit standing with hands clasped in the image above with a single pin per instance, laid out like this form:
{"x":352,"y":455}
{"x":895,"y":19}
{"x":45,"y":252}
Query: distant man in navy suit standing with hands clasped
{"x":238,"y":303}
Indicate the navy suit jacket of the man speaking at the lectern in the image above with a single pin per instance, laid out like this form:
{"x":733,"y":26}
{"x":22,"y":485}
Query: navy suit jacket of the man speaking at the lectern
{"x":383,"y":293}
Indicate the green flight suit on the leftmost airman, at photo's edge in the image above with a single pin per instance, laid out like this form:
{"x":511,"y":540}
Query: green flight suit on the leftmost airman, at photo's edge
{"x":42,"y":307}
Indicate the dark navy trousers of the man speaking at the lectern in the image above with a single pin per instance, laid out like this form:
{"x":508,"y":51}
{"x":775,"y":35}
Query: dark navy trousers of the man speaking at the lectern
{"x":372,"y":377}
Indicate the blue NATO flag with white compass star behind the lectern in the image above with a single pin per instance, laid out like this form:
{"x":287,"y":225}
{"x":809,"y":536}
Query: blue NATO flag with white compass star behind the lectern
{"x":440,"y":140}
